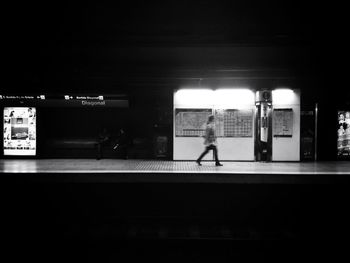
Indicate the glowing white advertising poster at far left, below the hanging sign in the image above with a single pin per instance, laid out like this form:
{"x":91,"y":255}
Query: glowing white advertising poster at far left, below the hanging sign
{"x":19,"y":134}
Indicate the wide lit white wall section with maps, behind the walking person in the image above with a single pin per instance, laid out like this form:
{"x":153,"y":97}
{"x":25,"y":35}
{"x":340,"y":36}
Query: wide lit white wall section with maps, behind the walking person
{"x":234,"y":120}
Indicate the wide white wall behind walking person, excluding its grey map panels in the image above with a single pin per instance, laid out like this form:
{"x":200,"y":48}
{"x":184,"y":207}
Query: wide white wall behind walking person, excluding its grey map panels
{"x":189,"y":148}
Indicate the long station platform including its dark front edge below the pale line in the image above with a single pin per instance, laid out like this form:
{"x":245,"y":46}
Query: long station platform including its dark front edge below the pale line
{"x":115,"y":170}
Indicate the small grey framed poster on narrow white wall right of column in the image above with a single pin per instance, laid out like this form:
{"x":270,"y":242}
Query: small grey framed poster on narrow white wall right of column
{"x":283,"y":122}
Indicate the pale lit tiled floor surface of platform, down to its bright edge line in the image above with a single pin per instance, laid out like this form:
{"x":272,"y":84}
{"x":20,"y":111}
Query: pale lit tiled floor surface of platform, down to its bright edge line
{"x":156,"y":166}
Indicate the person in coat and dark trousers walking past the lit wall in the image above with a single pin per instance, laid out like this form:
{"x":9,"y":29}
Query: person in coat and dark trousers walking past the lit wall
{"x":210,"y":141}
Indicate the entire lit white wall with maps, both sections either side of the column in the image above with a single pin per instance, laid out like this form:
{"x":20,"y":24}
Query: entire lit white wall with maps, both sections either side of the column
{"x":235,"y":114}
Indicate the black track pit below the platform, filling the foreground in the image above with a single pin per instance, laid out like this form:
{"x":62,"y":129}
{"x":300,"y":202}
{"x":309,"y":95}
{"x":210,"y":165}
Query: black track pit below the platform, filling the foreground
{"x":48,"y":220}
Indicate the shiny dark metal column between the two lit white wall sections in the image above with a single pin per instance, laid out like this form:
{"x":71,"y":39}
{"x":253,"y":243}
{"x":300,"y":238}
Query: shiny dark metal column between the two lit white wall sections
{"x":263,"y":127}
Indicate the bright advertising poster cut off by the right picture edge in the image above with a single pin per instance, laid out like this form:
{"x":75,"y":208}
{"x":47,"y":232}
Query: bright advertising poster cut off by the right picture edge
{"x":343,"y":133}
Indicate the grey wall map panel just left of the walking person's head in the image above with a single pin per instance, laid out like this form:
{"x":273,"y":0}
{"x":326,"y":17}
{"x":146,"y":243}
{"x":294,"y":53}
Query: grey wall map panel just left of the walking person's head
{"x":191,"y":122}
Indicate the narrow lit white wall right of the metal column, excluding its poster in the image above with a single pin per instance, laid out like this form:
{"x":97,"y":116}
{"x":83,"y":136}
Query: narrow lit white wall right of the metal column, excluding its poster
{"x":287,"y":148}
